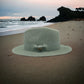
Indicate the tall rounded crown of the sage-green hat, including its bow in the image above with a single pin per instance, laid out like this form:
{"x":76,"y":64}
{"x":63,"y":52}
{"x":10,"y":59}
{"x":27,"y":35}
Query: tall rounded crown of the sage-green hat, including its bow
{"x":42,"y":39}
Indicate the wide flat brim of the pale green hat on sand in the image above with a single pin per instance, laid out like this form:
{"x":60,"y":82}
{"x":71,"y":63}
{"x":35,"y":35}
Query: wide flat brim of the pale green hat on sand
{"x":20,"y":51}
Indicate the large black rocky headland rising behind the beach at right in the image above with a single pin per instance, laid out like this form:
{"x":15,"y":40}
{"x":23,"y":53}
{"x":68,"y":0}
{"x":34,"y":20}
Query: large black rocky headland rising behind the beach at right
{"x":66,"y":14}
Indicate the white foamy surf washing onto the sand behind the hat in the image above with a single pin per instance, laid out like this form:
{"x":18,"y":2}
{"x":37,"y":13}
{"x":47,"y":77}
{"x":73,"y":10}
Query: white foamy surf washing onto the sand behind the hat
{"x":20,"y":28}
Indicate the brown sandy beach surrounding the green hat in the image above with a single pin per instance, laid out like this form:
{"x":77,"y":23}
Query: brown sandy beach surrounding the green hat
{"x":63,"y":69}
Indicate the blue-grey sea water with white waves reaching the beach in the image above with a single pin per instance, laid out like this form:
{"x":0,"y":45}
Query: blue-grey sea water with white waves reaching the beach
{"x":10,"y":26}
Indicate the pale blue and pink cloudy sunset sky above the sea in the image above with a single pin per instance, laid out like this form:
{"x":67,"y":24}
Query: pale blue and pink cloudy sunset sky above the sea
{"x":25,"y":8}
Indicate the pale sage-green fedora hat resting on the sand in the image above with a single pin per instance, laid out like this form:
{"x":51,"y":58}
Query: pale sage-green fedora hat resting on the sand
{"x":41,"y":41}
